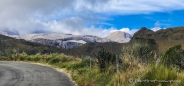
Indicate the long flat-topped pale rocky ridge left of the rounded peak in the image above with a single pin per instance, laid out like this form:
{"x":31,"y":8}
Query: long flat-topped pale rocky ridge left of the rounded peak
{"x":66,"y":41}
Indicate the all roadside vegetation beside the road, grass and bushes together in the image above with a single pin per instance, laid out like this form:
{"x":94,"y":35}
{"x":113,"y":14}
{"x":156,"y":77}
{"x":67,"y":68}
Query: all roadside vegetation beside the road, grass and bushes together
{"x":139,"y":66}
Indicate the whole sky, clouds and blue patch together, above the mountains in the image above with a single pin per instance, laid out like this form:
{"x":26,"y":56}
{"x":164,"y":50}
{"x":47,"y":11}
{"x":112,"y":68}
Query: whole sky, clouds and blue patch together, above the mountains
{"x":89,"y":17}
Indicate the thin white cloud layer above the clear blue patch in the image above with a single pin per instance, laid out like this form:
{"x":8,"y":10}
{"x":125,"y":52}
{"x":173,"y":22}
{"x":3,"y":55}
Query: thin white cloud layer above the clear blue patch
{"x":131,"y":6}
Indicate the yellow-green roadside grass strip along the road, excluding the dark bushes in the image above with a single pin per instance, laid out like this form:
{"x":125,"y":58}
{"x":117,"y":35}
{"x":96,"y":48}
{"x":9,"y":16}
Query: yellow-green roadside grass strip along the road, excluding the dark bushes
{"x":83,"y":75}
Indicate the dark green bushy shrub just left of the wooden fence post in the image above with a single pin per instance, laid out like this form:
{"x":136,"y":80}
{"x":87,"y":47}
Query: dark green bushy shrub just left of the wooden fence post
{"x":105,"y":59}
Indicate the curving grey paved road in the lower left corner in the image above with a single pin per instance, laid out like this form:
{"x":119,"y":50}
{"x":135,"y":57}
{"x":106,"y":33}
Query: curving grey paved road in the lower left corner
{"x":26,"y":74}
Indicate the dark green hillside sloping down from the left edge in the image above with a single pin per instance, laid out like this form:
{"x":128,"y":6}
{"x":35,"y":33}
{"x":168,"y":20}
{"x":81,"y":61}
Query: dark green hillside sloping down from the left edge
{"x":10,"y":45}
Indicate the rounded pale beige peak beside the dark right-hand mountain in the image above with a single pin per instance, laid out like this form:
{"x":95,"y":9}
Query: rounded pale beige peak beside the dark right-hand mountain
{"x":120,"y":37}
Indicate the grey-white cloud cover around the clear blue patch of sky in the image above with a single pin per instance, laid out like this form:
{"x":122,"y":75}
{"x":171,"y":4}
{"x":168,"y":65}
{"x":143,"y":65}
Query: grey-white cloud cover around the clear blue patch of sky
{"x":74,"y":16}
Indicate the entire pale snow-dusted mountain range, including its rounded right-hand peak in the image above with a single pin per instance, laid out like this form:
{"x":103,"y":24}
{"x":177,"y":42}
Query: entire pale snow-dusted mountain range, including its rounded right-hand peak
{"x":68,"y":40}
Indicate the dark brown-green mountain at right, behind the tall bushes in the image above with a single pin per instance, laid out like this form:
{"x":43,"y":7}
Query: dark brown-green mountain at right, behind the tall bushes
{"x":165,"y":38}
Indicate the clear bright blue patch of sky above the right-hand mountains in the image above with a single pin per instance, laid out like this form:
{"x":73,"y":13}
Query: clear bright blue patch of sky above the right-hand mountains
{"x":155,"y":19}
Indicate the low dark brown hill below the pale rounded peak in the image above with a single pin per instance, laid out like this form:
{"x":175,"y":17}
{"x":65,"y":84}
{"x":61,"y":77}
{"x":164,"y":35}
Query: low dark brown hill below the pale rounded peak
{"x":90,"y":48}
